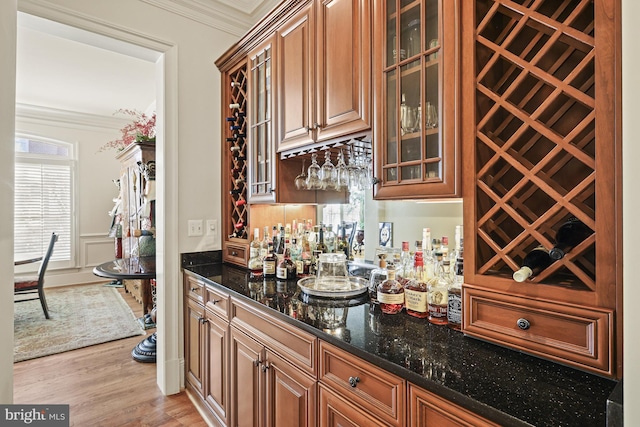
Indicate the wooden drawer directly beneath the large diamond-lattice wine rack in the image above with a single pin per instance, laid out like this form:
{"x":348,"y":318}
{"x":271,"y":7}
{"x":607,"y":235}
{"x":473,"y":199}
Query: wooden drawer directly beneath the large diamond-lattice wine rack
{"x":579,"y":336}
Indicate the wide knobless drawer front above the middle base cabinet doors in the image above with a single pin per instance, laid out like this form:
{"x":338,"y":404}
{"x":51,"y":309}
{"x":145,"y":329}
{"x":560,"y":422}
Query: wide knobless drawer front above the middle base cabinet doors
{"x":290,"y":342}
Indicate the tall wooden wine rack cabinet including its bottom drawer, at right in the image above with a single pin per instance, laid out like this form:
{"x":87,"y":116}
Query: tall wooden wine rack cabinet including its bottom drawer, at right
{"x":542,"y":145}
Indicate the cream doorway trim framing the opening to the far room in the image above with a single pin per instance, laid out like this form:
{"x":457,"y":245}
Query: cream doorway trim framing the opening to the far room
{"x":168,"y":360}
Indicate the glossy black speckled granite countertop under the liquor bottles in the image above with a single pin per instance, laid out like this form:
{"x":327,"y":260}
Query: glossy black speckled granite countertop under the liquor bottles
{"x":505,"y":386}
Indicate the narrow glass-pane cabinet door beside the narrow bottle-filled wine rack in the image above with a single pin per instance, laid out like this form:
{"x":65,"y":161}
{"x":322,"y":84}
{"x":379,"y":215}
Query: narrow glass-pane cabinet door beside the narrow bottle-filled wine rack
{"x":261,"y":153}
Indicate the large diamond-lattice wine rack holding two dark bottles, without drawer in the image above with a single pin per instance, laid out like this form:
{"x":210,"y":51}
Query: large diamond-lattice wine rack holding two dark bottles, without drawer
{"x":535,"y":139}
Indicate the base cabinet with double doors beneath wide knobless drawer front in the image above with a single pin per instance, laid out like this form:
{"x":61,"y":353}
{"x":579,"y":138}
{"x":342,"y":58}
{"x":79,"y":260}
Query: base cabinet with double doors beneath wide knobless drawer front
{"x":273,"y":376}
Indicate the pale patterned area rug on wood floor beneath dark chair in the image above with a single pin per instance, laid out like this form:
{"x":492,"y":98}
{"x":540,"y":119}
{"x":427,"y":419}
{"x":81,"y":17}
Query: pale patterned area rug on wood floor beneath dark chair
{"x":81,"y":316}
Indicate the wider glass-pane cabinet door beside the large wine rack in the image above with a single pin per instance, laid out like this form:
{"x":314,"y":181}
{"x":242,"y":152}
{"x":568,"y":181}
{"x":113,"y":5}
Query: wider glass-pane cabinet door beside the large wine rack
{"x":416,"y":68}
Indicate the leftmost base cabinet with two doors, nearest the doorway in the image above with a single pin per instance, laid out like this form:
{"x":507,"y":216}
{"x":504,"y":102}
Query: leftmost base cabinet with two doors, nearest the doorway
{"x":207,"y":347}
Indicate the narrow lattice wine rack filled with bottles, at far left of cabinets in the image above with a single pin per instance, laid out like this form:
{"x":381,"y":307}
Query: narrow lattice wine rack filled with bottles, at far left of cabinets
{"x":237,"y":220}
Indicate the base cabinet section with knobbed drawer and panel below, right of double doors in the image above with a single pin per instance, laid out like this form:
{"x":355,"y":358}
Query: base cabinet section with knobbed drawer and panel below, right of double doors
{"x":350,"y":382}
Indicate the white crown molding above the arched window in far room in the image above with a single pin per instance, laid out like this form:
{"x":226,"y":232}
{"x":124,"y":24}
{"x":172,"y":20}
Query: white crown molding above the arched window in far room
{"x":70,"y":119}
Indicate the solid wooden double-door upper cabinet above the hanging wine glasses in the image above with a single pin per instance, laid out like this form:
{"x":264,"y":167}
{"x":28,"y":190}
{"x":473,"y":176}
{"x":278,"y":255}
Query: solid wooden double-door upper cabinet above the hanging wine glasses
{"x":324,"y":73}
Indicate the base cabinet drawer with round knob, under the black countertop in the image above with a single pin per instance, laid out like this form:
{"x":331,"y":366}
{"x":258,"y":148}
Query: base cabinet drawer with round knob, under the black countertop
{"x":374,"y":389}
